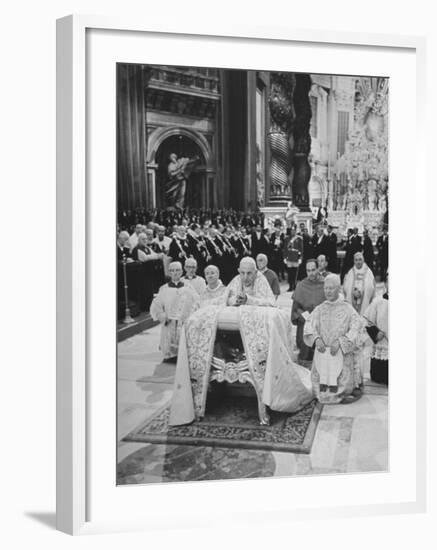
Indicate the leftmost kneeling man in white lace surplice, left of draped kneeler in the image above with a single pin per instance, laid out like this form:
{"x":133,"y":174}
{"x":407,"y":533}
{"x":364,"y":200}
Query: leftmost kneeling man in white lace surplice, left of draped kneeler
{"x":173,"y":304}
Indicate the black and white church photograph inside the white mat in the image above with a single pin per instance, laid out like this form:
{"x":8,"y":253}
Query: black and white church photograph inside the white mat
{"x":252,"y":252}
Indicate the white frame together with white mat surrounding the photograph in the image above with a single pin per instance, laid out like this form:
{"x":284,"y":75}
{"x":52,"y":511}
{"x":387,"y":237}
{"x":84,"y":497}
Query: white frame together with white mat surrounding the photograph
{"x":87,"y":497}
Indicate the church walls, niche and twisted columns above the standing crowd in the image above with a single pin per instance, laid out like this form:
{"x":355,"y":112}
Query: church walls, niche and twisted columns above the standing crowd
{"x":261,"y":138}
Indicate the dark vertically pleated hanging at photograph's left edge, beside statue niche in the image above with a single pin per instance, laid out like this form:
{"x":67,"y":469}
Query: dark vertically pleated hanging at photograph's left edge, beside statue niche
{"x":132,"y":83}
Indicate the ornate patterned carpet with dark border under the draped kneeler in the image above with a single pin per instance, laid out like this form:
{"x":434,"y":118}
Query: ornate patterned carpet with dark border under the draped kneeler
{"x":233,"y":423}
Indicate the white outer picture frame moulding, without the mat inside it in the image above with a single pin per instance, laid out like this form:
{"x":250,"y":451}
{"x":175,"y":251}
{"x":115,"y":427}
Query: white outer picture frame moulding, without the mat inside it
{"x":74,"y":469}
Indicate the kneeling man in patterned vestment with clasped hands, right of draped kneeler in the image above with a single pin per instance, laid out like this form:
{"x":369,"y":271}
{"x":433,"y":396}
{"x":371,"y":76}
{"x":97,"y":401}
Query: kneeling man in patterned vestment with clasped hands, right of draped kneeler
{"x":334,"y":327}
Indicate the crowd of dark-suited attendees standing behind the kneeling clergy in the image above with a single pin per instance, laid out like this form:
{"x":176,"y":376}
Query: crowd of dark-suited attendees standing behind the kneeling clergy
{"x":152,"y":248}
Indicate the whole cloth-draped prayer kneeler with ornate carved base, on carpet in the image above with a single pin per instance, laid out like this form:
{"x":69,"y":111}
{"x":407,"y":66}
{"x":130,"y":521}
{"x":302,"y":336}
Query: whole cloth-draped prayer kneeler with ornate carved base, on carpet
{"x":260,"y":355}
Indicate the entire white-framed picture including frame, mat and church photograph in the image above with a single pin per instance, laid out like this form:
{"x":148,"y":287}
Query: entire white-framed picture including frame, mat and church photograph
{"x":240,"y":347}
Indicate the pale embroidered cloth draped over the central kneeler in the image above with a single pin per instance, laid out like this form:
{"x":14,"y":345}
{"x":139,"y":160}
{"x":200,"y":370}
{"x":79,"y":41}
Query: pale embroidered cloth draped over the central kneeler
{"x":266,"y":335}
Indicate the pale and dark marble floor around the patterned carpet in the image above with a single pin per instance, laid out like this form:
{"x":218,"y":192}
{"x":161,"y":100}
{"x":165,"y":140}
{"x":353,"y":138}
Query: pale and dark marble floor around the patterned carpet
{"x":349,"y":438}
